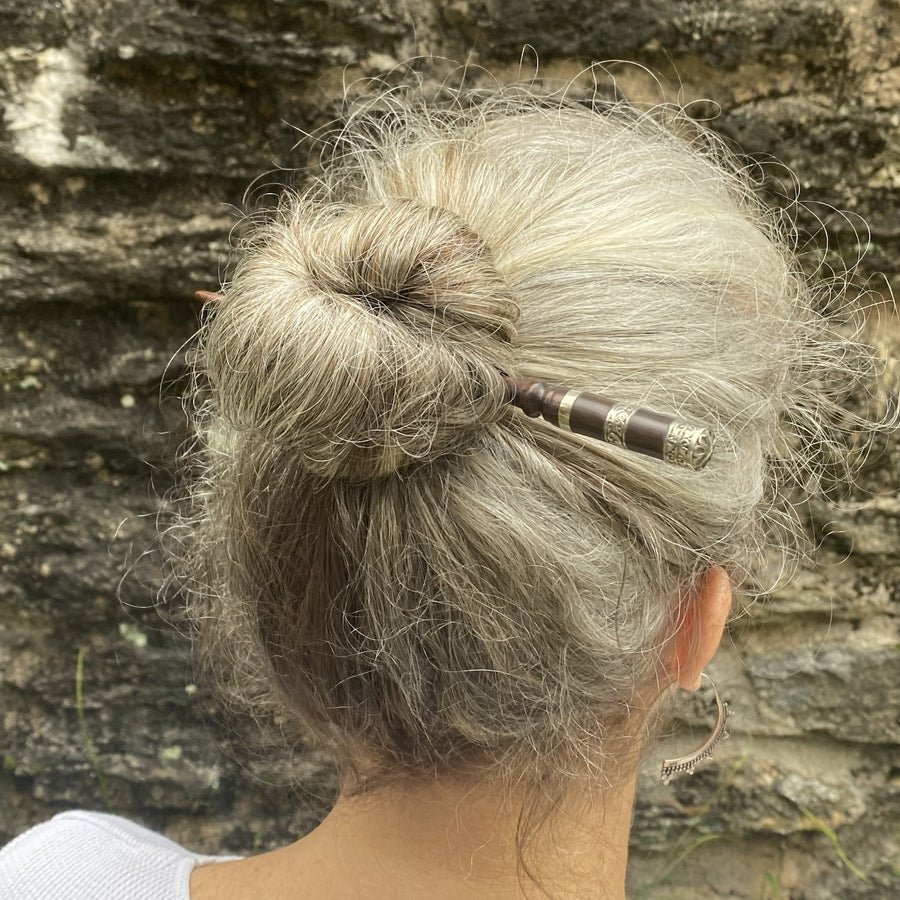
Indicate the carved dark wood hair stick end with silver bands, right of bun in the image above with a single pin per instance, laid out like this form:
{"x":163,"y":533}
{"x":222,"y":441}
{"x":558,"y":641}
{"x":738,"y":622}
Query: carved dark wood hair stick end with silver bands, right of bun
{"x":631,"y":427}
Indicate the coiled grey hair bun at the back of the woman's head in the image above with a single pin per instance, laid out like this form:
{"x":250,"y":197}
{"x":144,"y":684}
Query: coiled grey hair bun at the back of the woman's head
{"x":362,"y":337}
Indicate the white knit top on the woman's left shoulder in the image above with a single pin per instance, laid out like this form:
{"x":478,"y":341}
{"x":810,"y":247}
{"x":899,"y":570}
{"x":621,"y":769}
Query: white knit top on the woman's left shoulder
{"x":95,"y":856}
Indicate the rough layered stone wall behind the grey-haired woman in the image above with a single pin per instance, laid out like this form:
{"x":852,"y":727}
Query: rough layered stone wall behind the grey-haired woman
{"x":129,"y":130}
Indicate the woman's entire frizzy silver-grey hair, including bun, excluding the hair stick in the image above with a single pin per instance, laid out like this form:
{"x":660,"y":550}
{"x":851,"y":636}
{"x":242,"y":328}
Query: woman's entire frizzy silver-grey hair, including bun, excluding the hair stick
{"x":409,"y":572}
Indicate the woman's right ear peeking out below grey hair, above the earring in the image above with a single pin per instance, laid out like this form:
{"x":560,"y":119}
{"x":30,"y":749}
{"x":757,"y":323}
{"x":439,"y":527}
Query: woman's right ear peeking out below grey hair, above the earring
{"x":700,"y":631}
